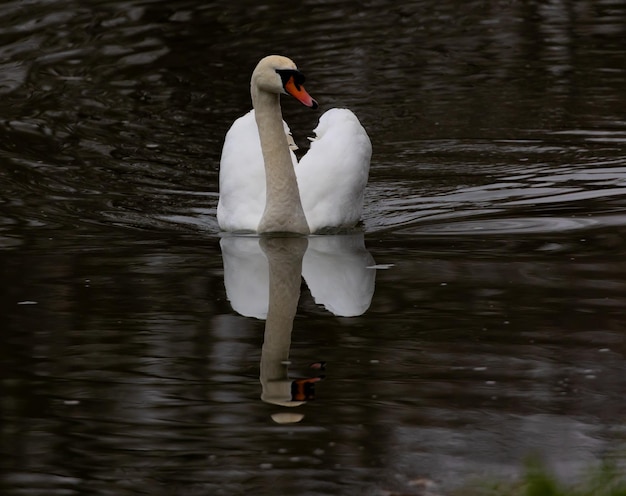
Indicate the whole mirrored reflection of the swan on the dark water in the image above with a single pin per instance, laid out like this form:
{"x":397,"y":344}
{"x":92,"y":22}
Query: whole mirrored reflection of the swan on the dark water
{"x":262,"y":277}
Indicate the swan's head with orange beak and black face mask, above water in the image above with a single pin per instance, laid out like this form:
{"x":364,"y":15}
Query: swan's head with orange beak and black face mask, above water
{"x":278,"y":74}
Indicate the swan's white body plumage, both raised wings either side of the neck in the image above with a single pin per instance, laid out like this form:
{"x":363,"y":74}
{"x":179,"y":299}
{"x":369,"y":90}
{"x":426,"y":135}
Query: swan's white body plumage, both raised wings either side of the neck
{"x":332,"y":175}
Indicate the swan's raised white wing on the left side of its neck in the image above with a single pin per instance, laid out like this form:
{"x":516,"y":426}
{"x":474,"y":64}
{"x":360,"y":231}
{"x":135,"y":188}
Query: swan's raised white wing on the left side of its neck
{"x":242,"y":176}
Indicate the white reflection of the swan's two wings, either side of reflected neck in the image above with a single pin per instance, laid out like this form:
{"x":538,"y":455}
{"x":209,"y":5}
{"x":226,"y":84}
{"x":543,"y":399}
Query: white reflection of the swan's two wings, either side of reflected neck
{"x":334,"y":267}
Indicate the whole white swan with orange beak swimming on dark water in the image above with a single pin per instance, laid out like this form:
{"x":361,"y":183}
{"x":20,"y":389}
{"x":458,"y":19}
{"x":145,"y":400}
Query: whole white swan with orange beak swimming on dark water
{"x":326,"y":190}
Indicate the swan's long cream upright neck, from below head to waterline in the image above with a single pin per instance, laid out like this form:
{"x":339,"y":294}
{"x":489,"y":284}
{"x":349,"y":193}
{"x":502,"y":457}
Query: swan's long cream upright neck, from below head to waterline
{"x":283,"y":208}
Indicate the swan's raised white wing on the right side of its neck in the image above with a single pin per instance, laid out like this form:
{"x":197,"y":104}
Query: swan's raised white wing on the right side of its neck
{"x":332,"y":175}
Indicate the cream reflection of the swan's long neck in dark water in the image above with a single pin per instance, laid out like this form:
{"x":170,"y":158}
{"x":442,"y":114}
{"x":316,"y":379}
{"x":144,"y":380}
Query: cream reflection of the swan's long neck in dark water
{"x":284,"y":256}
